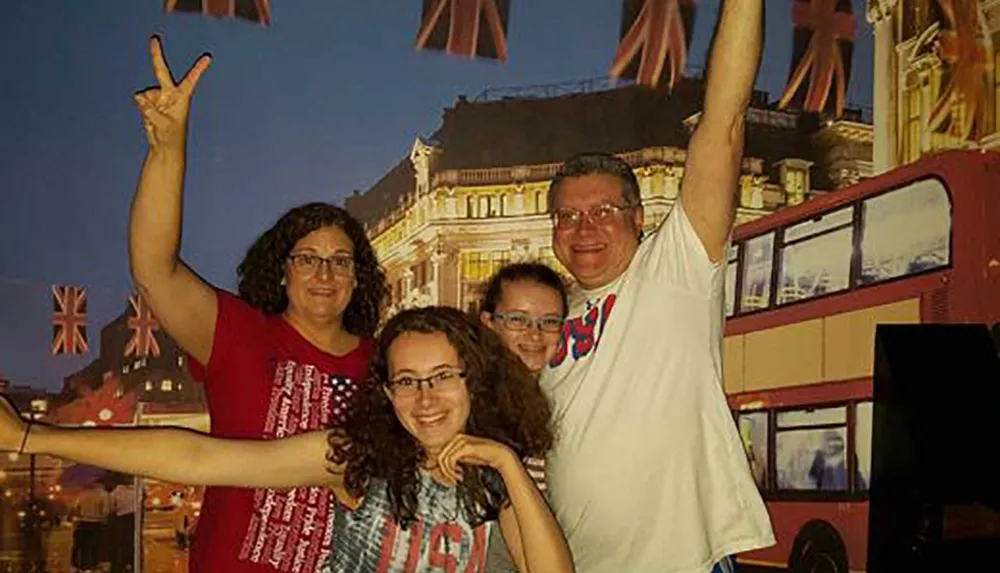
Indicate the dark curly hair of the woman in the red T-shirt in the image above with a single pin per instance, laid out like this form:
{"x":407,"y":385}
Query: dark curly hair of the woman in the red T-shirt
{"x":263,"y":267}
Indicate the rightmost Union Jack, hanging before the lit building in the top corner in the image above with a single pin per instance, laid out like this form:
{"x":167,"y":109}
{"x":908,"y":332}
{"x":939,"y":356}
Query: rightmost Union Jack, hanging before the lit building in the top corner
{"x":965,"y":90}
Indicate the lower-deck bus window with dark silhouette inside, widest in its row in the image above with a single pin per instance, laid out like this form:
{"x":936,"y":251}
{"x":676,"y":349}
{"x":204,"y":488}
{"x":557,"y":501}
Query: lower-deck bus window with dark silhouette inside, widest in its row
{"x":810,"y":448}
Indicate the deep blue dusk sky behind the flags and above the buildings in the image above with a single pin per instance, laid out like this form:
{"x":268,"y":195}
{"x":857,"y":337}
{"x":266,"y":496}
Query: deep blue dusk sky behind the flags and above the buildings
{"x":323,"y":102}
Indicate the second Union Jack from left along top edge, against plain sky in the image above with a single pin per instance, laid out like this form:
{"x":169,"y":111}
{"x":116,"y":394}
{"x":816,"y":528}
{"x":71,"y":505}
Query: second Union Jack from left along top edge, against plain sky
{"x":454,"y":26}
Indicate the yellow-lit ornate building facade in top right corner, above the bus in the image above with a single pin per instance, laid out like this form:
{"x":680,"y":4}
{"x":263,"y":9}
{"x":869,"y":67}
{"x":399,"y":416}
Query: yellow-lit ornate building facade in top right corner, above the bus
{"x":936,"y":84}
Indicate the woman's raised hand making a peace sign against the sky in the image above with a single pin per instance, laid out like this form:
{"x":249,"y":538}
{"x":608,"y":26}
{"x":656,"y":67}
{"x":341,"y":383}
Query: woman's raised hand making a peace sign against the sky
{"x":165,"y":107}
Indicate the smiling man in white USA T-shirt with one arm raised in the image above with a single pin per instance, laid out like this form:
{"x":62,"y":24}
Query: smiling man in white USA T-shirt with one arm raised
{"x":648,"y":474}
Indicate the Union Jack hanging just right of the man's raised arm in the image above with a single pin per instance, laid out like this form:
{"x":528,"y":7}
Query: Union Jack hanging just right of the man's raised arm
{"x":822,"y":50}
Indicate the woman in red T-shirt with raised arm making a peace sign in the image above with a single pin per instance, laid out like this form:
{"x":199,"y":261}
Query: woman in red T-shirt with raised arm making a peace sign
{"x":281,"y":358}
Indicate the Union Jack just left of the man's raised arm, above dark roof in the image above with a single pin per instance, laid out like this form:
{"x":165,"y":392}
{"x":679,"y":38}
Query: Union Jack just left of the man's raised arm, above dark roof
{"x":654,"y":34}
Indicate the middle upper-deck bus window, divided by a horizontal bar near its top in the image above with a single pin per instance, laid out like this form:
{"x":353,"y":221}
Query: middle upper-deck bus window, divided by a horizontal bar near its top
{"x":816,"y":257}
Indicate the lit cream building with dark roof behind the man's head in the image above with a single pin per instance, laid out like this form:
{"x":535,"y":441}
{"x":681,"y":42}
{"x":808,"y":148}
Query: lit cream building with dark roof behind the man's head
{"x":472,"y":196}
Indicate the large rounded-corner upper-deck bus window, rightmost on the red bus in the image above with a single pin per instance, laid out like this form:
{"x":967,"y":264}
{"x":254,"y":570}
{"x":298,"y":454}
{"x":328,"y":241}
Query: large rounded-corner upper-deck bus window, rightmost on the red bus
{"x":905,"y":231}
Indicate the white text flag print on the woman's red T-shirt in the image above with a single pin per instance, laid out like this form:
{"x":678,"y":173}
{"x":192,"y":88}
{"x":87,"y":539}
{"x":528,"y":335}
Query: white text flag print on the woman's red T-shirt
{"x":291,"y":530}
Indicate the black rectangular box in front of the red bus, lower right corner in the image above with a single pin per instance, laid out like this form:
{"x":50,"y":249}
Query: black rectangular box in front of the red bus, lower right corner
{"x":935,"y":501}
